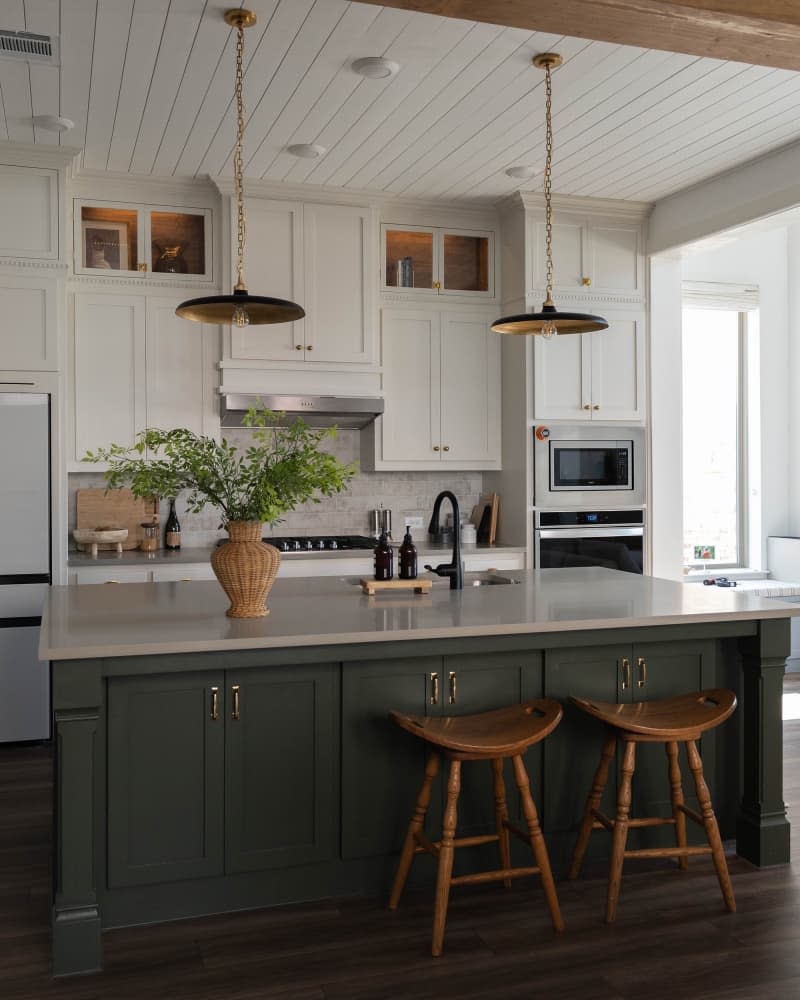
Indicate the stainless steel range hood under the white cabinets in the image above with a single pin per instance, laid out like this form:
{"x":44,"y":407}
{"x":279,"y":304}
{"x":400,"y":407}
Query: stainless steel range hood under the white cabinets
{"x":347,"y":412}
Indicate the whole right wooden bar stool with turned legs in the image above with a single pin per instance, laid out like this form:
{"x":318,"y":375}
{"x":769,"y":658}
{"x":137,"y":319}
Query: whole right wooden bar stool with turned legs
{"x":669,"y":721}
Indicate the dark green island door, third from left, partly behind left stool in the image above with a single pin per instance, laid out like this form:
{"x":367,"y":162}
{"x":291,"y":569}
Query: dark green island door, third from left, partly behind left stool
{"x":382,"y":764}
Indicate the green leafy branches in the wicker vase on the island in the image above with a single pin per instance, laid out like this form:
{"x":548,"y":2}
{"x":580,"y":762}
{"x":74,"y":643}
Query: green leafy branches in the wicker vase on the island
{"x":280,"y":470}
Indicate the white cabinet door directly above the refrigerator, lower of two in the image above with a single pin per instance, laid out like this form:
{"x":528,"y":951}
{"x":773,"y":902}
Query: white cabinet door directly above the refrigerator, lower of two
{"x":29,"y":308}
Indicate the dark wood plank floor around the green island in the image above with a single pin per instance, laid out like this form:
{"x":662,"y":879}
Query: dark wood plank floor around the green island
{"x":672,"y":940}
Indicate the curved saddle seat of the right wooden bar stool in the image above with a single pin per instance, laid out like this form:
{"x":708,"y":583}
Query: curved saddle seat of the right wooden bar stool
{"x":682,"y":718}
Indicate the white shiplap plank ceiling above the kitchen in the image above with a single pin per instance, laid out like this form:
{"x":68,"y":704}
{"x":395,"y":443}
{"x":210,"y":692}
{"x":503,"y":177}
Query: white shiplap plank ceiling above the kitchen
{"x":149,"y":86}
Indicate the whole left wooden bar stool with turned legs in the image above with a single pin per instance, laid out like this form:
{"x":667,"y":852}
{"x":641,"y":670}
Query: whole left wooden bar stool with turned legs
{"x":493,"y":736}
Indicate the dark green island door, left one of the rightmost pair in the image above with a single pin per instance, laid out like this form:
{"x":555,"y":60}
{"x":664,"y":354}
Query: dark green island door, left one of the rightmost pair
{"x":572,"y":751}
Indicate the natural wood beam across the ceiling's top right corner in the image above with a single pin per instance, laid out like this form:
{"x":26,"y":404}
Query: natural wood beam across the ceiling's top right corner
{"x":761,"y":32}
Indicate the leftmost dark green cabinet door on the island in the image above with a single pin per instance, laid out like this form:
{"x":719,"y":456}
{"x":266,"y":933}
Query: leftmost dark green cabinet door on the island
{"x":165,"y":778}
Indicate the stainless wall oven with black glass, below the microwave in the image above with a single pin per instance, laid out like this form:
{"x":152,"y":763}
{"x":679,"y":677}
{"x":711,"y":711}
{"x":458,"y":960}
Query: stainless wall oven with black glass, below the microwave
{"x":611,"y":538}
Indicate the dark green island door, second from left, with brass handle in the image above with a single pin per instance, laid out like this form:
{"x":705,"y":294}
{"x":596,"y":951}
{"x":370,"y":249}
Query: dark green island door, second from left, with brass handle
{"x":282,"y":766}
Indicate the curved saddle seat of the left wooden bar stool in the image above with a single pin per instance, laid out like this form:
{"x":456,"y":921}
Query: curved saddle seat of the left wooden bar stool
{"x":501,"y":733}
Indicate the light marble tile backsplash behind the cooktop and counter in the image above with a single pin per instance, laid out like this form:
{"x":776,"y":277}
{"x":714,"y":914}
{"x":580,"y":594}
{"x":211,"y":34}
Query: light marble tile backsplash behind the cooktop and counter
{"x":406,"y":494}
